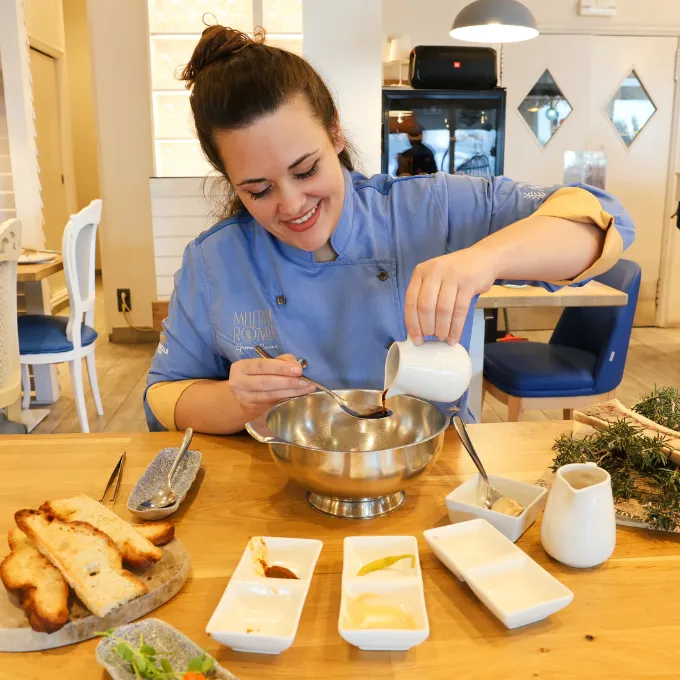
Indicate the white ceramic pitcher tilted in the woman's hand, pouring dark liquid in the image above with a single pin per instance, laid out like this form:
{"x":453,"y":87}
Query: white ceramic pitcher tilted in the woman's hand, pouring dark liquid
{"x":435,"y":371}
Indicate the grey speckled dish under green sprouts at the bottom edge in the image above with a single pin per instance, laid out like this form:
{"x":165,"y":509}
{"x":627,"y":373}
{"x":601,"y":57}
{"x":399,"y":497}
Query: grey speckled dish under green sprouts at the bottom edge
{"x":161,"y":636}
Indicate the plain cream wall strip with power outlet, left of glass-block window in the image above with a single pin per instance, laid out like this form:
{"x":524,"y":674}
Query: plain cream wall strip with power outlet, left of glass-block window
{"x":120,"y":76}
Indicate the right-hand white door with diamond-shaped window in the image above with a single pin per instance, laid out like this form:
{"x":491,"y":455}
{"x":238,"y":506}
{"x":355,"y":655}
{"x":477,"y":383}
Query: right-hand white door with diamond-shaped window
{"x":637,"y":169}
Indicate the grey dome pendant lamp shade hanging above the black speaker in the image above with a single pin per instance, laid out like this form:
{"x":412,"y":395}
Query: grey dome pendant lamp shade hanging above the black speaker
{"x":494,"y":21}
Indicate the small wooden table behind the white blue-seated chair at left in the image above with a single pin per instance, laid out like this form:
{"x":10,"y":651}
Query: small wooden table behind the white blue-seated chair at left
{"x":37,"y":302}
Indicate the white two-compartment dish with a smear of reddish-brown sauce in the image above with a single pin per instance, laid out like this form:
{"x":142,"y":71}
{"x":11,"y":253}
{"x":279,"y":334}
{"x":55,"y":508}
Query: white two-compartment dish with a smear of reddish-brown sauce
{"x":261,"y":614}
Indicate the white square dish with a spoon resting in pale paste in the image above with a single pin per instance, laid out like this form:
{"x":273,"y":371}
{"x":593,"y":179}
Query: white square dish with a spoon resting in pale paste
{"x":465,"y":503}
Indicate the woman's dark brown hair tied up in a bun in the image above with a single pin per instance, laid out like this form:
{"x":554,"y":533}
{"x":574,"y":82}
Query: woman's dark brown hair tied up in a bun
{"x":235,"y":80}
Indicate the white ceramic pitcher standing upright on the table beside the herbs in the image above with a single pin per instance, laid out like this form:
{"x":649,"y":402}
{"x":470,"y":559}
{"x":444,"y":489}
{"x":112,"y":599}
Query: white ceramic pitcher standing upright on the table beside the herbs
{"x":579,"y":523}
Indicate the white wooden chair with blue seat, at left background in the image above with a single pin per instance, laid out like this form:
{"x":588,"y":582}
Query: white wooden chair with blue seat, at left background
{"x":51,"y":339}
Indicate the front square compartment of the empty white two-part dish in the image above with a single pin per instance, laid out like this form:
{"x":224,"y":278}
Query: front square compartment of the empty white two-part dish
{"x":519,"y":592}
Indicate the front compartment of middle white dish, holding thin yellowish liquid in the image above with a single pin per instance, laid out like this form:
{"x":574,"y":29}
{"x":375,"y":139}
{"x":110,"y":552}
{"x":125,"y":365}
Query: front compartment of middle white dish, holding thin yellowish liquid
{"x":388,"y":616}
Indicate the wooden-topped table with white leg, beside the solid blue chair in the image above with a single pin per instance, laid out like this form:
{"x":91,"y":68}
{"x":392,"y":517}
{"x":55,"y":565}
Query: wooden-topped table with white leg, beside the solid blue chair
{"x":593,"y":294}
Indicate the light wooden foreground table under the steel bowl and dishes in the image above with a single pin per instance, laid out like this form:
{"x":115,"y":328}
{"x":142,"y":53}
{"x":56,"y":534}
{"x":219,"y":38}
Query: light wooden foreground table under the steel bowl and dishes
{"x":624,"y":621}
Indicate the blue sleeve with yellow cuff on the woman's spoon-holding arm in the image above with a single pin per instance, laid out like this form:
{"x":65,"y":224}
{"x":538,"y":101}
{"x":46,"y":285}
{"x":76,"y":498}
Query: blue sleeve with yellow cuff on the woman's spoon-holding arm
{"x":186,"y":352}
